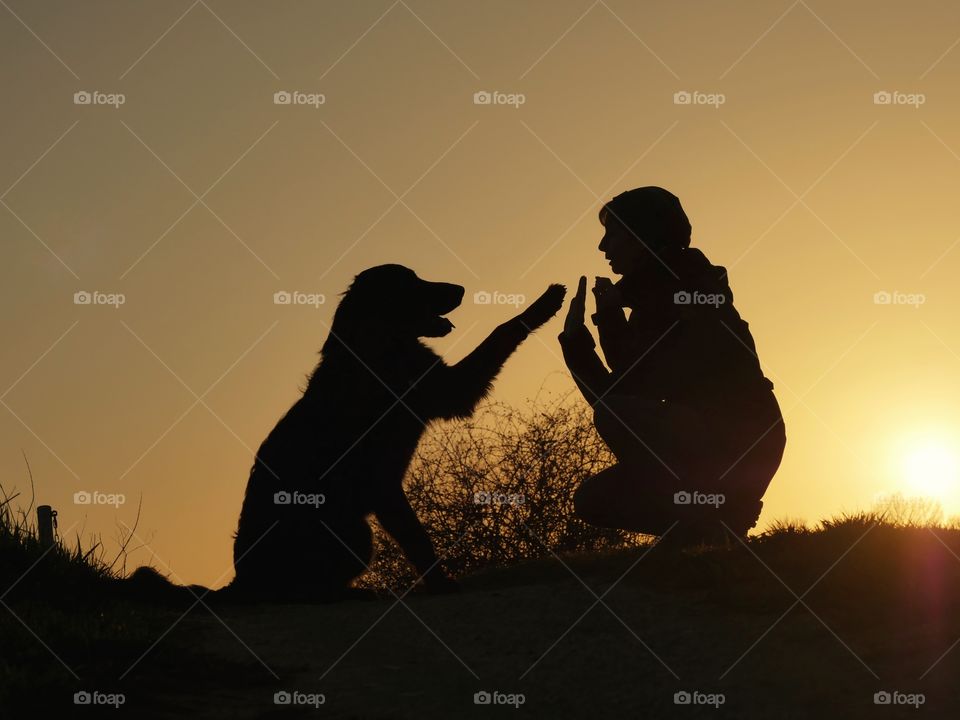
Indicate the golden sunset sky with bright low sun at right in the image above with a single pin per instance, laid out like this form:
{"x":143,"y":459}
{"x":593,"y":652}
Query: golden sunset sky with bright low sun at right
{"x":198,"y":197}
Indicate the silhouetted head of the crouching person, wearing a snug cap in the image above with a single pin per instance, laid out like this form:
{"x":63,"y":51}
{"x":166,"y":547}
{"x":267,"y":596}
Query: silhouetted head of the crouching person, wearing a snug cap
{"x":640,"y":226}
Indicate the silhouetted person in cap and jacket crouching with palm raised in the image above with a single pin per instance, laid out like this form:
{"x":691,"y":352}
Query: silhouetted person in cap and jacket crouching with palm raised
{"x":684,"y":405}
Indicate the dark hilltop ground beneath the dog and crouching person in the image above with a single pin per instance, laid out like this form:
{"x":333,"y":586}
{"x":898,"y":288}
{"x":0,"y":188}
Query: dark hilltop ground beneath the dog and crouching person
{"x":882,"y":615}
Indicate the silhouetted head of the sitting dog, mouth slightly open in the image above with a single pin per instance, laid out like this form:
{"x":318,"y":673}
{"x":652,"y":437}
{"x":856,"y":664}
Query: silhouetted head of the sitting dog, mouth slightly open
{"x":390,"y":300}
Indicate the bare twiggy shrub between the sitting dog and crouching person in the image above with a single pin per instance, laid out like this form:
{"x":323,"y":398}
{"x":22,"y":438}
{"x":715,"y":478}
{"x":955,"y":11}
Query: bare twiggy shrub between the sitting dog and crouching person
{"x":497,"y":489}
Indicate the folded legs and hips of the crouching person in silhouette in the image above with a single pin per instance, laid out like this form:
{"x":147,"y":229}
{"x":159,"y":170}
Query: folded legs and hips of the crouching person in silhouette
{"x":675,"y":475}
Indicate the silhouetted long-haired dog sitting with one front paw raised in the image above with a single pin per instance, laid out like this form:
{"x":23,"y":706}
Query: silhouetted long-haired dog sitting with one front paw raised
{"x":341,"y":452}
